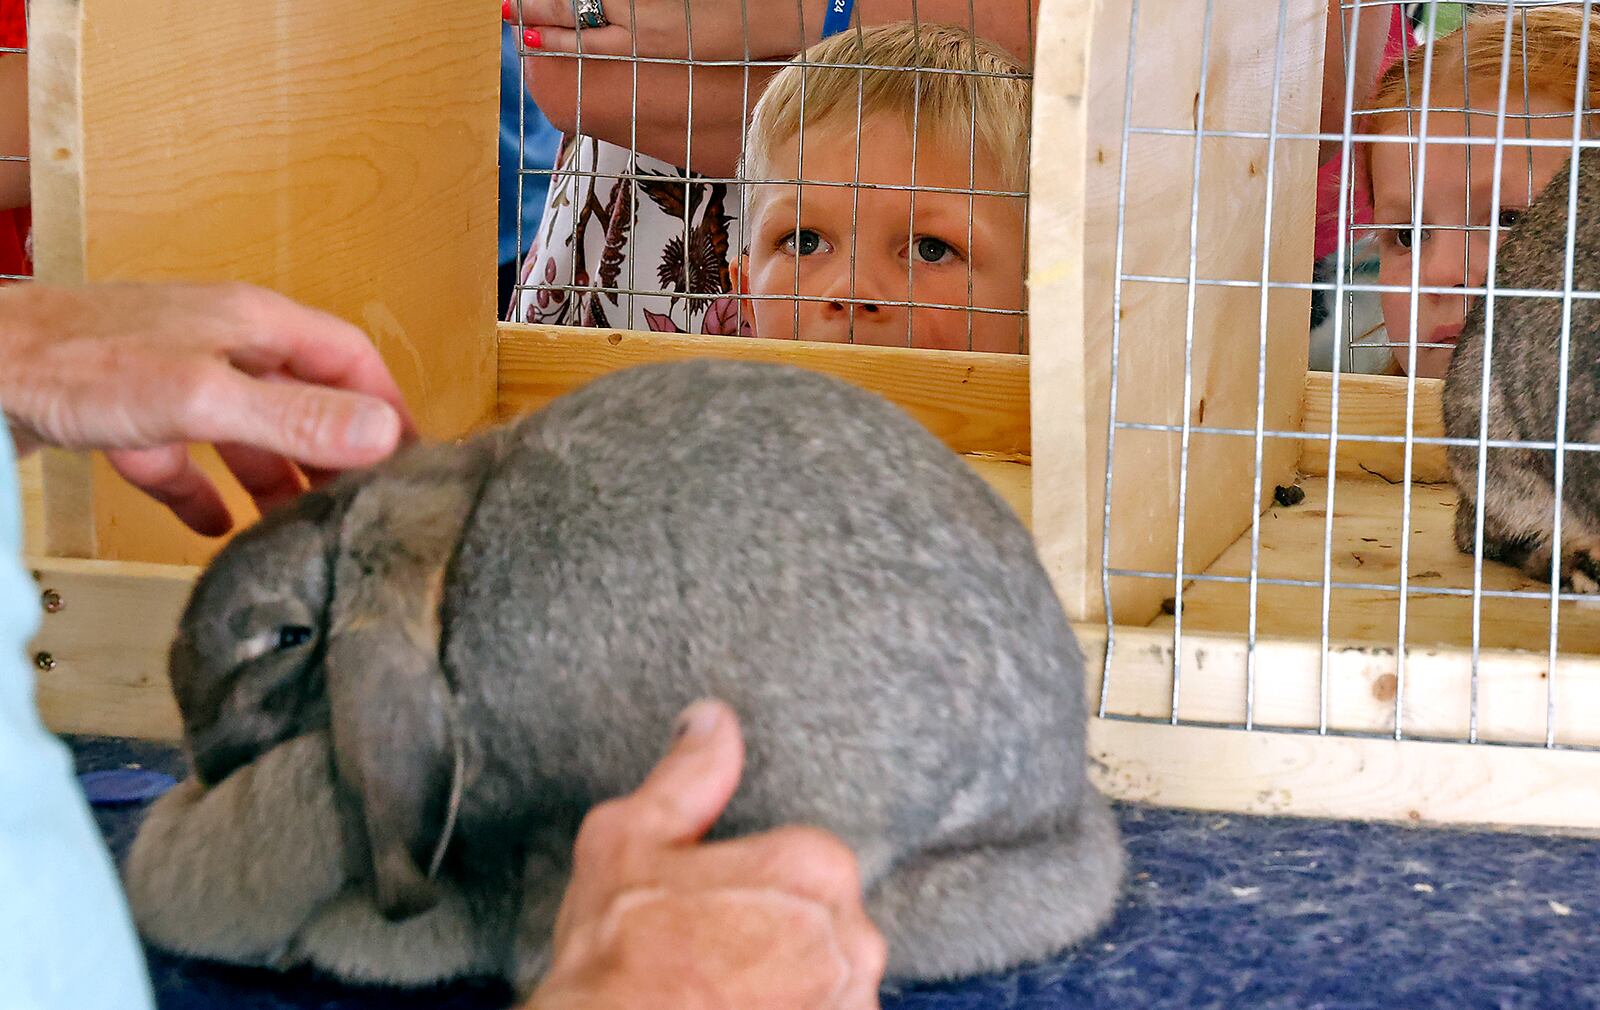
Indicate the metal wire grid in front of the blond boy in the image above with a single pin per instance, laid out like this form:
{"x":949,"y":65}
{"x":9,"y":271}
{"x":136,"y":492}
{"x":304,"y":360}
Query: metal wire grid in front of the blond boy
{"x":695,"y":302}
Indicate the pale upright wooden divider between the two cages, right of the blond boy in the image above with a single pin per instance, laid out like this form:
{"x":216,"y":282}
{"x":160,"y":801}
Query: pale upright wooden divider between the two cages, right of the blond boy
{"x":1074,"y":242}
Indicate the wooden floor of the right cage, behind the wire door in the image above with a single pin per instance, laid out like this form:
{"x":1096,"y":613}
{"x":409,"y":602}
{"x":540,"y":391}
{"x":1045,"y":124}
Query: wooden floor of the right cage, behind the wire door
{"x":1367,"y":550}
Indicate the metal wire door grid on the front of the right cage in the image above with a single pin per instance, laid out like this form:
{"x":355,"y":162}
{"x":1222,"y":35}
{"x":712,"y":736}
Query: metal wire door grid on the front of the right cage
{"x":1342,"y":287}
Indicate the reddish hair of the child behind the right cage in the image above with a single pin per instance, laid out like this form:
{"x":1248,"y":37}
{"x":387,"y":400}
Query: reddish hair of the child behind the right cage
{"x":1545,"y":46}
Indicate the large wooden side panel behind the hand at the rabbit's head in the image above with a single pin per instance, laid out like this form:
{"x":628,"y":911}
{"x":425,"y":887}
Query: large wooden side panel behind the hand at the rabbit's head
{"x":340,"y":158}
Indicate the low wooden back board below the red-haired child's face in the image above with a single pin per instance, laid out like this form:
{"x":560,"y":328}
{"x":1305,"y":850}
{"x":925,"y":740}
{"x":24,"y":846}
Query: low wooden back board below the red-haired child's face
{"x":1374,"y":406}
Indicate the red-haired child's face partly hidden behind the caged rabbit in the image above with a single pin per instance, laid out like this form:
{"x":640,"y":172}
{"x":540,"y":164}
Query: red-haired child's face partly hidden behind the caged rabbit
{"x":1457,"y":191}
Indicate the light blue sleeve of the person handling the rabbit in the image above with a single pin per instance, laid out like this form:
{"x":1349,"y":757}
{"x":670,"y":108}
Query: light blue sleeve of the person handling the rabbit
{"x":66,"y":942}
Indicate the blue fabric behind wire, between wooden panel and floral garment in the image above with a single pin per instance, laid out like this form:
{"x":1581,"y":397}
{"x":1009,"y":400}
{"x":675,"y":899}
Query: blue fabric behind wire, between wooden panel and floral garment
{"x":527,"y":140}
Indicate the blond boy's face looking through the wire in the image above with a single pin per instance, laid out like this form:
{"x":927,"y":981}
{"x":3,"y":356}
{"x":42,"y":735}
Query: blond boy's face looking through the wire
{"x":886,"y":246}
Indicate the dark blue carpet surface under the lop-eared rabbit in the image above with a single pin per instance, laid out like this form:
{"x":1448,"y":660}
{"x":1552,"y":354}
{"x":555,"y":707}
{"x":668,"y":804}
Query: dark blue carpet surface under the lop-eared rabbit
{"x":1222,"y":912}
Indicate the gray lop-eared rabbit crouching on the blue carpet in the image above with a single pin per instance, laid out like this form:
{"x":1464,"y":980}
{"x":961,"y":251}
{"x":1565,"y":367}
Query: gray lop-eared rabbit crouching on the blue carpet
{"x":474,"y":644}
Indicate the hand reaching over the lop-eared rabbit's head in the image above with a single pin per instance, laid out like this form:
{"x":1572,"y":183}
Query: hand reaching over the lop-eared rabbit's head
{"x":145,"y":371}
